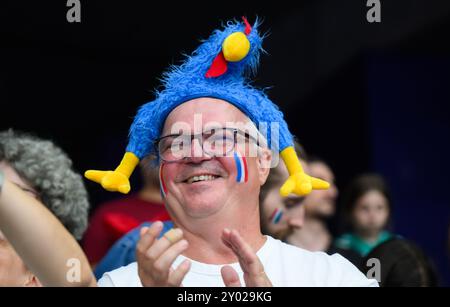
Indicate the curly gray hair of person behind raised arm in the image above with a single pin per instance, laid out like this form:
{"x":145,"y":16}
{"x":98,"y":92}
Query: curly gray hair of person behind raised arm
{"x":49,"y":170}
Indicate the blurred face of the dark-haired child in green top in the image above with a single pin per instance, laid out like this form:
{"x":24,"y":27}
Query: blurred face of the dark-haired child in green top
{"x":371,"y":213}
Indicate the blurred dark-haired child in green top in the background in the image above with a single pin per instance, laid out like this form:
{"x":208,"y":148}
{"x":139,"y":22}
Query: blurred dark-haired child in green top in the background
{"x":367,"y":206}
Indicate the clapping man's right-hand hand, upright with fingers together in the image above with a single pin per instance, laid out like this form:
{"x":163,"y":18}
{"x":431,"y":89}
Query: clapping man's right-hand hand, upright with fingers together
{"x":254,"y":275}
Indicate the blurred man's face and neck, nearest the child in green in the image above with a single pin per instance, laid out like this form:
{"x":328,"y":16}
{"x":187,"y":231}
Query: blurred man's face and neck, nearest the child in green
{"x":319,"y":208}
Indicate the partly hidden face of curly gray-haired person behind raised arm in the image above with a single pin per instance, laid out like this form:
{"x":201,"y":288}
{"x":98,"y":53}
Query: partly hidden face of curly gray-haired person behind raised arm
{"x":12,"y":269}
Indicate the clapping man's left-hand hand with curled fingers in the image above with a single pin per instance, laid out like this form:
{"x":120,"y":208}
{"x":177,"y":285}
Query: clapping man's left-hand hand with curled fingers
{"x":155,"y":257}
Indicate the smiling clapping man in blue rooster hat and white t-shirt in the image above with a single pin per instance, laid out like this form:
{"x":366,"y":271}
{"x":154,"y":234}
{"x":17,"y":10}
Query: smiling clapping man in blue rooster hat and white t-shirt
{"x":210,"y":180}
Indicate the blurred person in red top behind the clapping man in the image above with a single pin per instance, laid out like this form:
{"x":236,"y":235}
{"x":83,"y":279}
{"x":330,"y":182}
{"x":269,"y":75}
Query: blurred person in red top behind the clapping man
{"x":114,"y":219}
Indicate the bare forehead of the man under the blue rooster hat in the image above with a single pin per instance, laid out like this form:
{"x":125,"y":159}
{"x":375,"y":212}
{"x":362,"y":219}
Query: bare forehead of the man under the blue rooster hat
{"x":204,"y":112}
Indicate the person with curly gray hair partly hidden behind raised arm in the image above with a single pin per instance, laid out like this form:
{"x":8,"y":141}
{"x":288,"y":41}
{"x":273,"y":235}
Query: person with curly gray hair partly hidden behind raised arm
{"x":43,"y":171}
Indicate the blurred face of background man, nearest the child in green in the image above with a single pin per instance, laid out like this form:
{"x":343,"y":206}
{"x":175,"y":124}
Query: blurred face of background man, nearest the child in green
{"x":321,"y":202}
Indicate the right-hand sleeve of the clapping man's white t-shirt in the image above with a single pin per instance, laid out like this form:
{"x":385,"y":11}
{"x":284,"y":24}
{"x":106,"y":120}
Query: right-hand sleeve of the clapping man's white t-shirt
{"x":345,"y":274}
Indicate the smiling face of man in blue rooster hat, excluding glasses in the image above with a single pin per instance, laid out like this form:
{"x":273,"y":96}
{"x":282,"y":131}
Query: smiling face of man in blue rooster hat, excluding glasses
{"x":218,"y":189}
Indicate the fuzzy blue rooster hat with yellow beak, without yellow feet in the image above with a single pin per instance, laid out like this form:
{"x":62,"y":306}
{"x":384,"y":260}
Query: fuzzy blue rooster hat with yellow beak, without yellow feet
{"x":219,"y":69}
